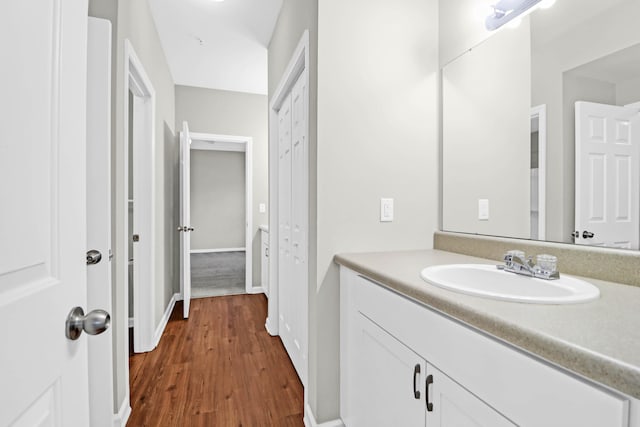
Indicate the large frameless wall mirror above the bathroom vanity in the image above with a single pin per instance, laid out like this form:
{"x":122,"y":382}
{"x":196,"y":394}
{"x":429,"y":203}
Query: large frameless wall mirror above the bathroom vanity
{"x":541,"y":127}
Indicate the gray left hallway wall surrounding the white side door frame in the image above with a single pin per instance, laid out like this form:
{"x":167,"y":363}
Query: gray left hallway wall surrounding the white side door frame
{"x":131,"y":19}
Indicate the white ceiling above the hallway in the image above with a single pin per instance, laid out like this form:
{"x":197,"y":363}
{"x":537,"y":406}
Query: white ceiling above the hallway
{"x":217,"y":44}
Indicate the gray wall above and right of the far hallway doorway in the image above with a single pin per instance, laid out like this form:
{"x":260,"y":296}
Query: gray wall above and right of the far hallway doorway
{"x":232,"y":113}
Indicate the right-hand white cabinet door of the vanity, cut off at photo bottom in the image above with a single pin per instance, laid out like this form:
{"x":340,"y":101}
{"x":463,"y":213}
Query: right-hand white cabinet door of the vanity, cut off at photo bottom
{"x":455,"y":406}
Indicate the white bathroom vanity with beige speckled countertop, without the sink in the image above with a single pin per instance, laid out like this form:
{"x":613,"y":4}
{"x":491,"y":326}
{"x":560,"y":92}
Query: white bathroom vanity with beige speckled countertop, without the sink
{"x":412,"y":354}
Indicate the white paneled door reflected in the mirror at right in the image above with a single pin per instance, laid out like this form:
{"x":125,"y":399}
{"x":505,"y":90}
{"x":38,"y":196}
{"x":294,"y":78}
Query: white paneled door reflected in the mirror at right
{"x":607,"y":177}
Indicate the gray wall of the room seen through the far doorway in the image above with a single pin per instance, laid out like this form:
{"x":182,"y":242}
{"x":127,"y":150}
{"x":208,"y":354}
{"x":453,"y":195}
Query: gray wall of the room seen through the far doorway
{"x":217,"y":199}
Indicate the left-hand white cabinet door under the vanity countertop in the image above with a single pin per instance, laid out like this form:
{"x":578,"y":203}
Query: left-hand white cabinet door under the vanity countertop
{"x":389,"y":382}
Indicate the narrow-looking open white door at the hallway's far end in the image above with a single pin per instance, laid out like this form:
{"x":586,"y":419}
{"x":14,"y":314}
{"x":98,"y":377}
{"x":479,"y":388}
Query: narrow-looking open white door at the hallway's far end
{"x":185,"y":217}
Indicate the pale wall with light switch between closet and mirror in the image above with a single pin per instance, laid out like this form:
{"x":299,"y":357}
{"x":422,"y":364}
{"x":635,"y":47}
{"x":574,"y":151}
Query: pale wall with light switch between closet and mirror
{"x":377,"y":137}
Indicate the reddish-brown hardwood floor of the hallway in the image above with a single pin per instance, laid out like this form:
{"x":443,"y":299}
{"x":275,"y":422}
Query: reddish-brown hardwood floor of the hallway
{"x":218,"y":368}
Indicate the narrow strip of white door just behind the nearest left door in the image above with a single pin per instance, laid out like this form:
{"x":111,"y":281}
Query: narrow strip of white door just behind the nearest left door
{"x":99,"y":215}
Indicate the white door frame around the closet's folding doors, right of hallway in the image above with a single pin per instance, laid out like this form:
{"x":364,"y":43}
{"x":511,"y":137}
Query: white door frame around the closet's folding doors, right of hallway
{"x":298,"y":66}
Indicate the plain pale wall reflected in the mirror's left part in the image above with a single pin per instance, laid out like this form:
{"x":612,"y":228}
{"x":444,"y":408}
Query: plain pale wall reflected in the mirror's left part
{"x":486,"y":128}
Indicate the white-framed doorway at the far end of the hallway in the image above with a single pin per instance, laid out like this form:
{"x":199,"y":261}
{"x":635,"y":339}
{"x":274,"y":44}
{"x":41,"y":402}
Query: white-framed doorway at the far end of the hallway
{"x":216,"y":215}
